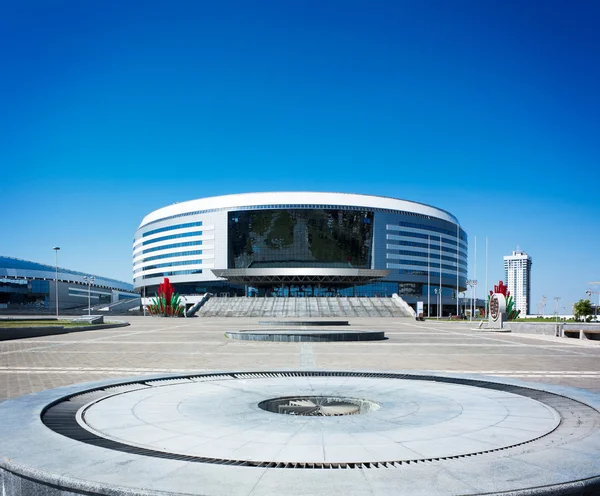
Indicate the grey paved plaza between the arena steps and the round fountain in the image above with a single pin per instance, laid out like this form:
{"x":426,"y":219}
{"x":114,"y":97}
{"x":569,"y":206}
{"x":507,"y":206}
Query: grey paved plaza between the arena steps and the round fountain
{"x":154,"y":345}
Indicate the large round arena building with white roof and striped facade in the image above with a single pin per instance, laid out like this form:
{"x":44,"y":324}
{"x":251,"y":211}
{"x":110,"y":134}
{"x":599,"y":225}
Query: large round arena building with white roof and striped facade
{"x":301,"y":244}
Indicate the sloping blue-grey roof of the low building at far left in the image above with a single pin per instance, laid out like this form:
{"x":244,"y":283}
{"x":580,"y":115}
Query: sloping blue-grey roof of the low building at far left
{"x":15,"y":267}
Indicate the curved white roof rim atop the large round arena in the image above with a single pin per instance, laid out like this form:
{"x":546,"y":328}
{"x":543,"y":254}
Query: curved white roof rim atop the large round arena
{"x":295,"y":198}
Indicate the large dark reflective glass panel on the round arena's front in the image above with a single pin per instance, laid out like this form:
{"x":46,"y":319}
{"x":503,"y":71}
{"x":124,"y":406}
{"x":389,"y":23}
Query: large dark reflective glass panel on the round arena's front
{"x":300,"y":238}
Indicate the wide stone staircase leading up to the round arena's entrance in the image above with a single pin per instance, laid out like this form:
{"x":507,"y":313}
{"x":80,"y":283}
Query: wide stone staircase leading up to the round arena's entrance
{"x":337,"y":306}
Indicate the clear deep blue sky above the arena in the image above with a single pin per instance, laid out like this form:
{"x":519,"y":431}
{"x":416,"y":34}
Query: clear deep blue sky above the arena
{"x":488,"y":109}
